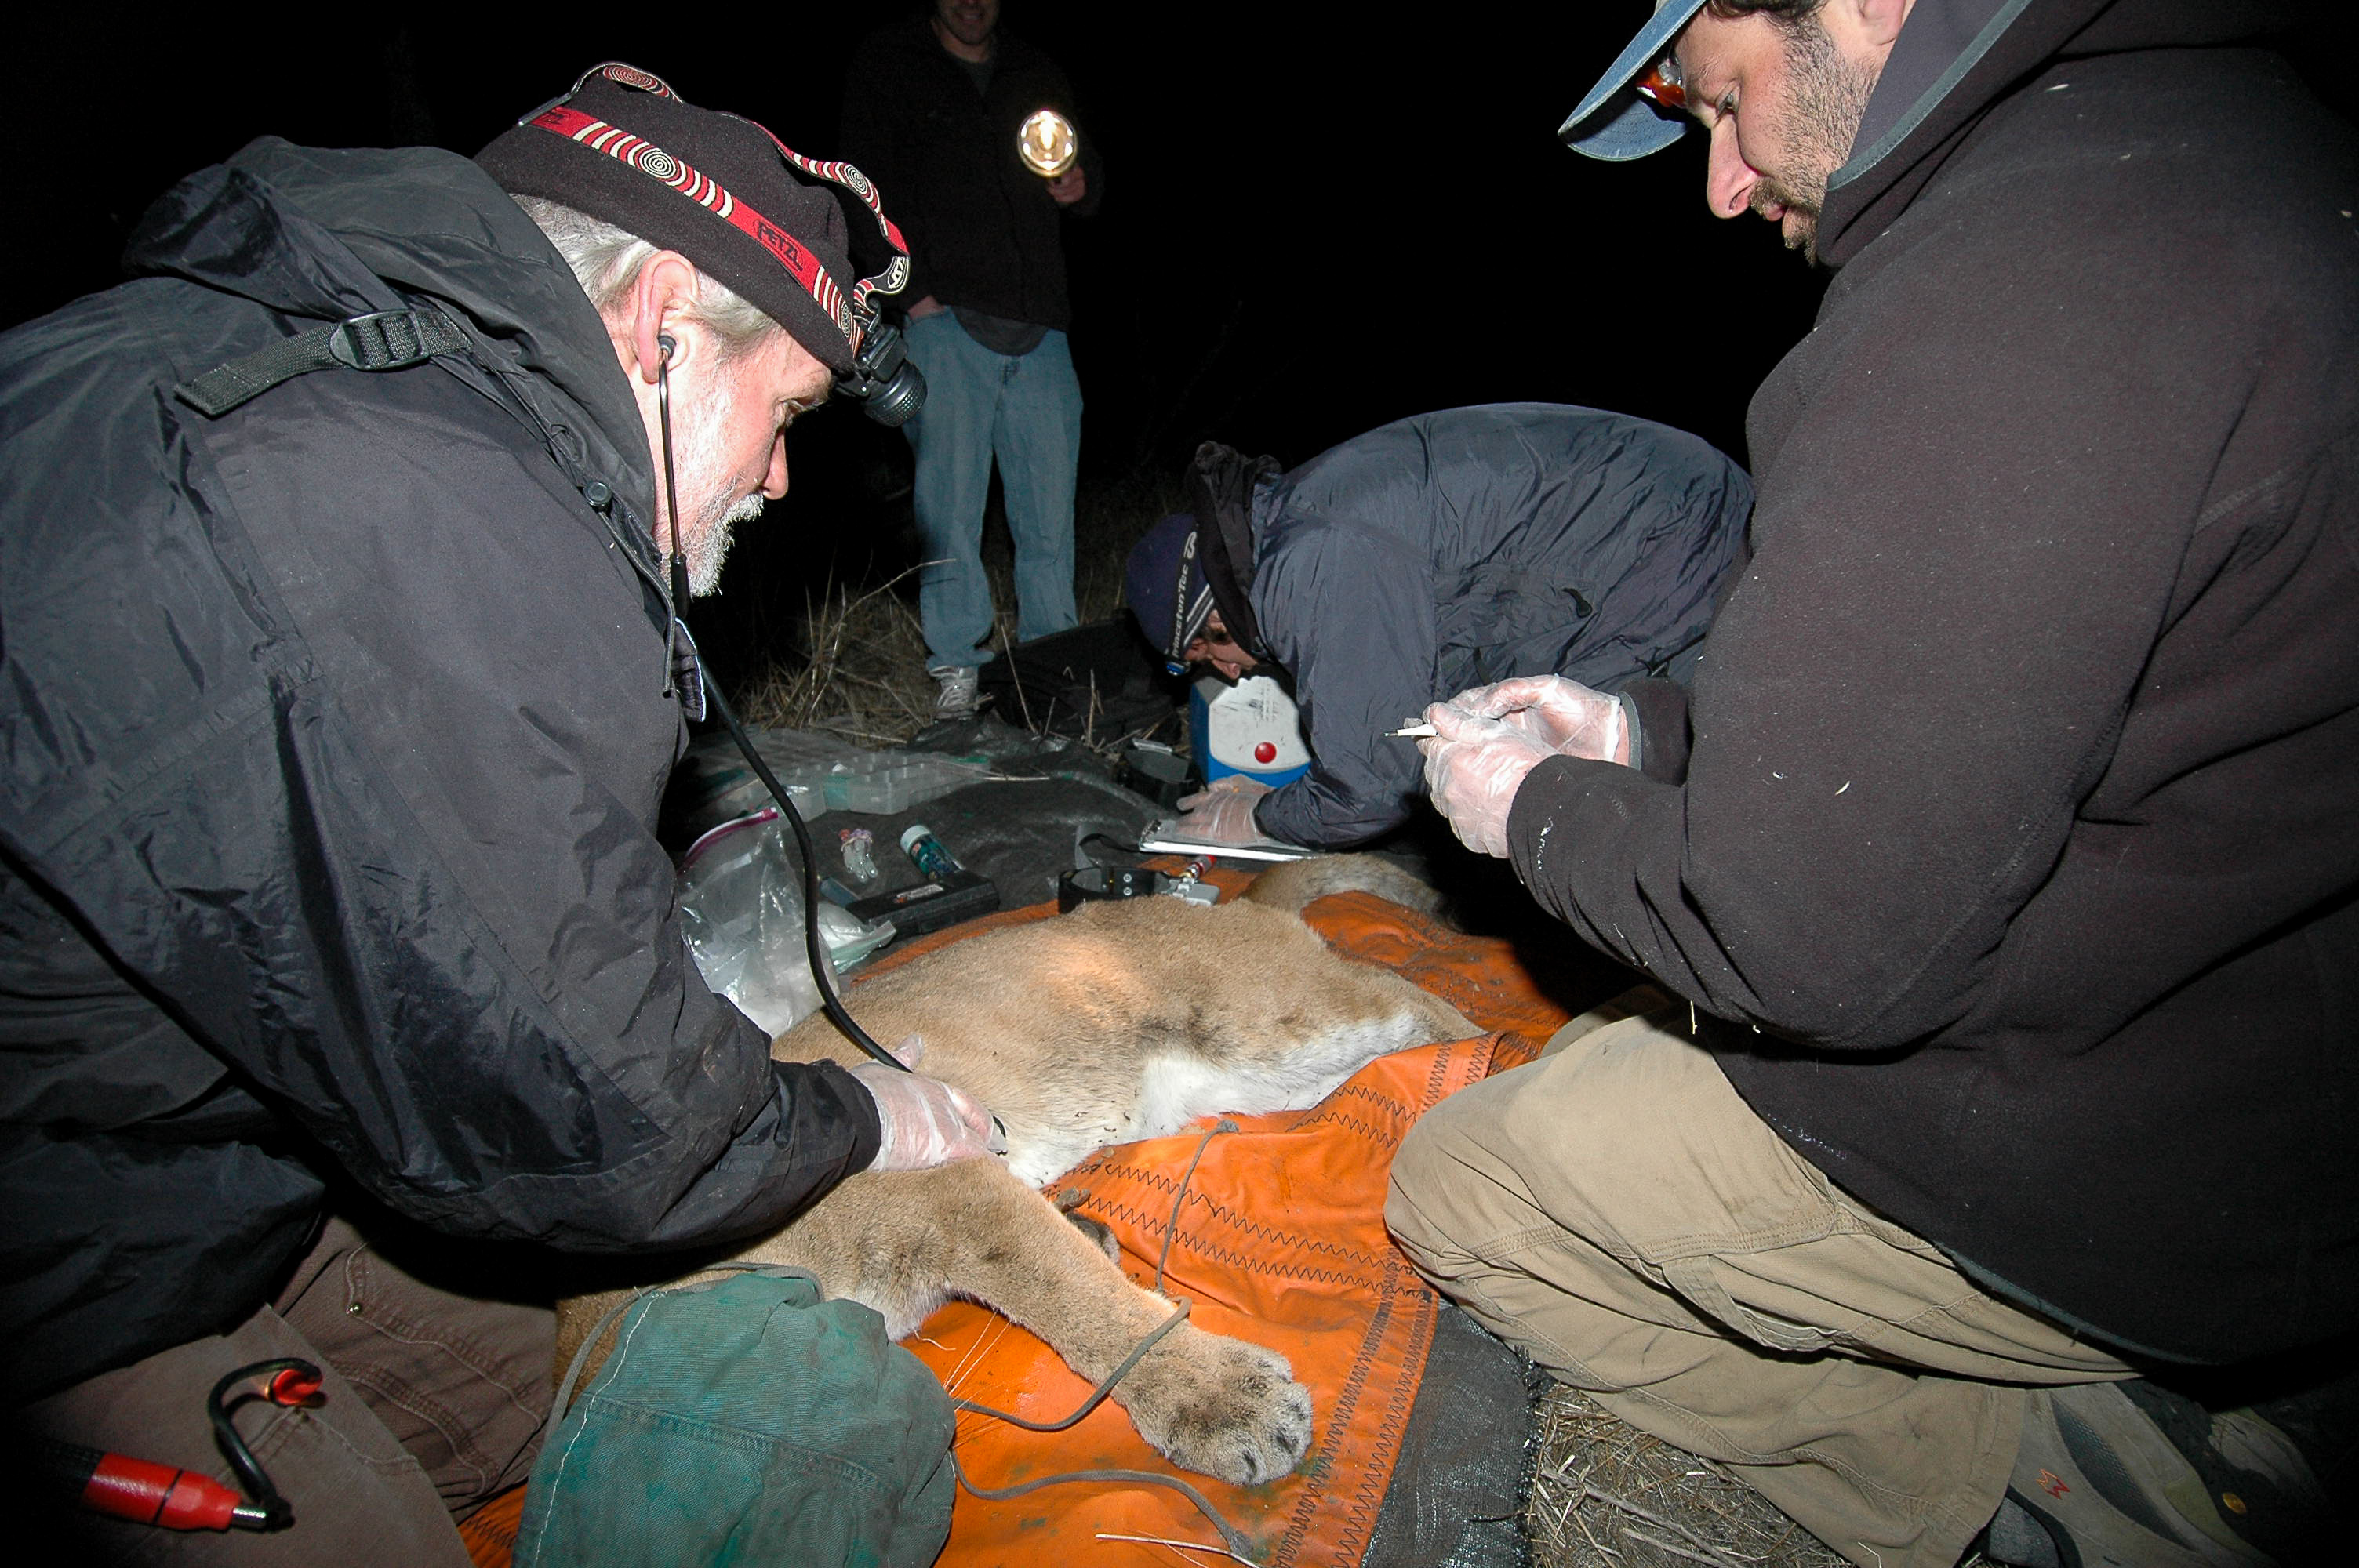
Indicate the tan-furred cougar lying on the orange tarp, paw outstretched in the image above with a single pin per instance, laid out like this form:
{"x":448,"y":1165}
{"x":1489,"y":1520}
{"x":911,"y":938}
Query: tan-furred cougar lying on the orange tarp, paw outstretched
{"x":1100,"y":1027}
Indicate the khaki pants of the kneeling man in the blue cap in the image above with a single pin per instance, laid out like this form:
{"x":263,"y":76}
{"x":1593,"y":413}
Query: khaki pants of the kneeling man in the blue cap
{"x":1622,"y":1215}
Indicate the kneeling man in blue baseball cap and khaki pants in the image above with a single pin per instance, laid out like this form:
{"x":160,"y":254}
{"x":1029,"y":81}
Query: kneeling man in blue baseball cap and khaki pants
{"x":2006,"y":850}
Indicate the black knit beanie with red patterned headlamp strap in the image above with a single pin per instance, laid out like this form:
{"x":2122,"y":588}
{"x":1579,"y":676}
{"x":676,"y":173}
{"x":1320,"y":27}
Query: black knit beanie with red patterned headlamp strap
{"x":714,"y":187}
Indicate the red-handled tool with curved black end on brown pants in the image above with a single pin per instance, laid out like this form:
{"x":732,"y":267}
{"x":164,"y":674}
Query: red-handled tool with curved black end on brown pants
{"x":178,"y":1498}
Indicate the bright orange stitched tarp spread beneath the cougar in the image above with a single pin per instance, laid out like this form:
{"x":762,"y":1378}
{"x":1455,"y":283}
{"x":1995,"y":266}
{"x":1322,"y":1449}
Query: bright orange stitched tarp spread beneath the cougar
{"x":1280,"y":1241}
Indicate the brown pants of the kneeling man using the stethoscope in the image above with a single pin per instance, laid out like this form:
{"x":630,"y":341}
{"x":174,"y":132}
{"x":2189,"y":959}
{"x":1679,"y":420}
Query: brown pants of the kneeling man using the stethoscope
{"x":435,"y":1402}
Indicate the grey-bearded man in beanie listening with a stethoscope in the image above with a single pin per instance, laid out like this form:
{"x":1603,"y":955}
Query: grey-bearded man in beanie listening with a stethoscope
{"x":343,"y":673}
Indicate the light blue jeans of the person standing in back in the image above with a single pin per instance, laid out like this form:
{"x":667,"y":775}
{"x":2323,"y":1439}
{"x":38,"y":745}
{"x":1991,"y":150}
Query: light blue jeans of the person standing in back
{"x":980,"y":407}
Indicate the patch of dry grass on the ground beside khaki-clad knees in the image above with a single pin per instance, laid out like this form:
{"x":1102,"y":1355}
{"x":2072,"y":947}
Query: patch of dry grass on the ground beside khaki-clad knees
{"x":1610,"y":1496}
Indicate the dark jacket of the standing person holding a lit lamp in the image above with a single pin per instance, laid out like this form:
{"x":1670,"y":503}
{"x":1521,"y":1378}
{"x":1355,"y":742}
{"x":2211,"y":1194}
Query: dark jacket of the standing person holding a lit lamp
{"x":983,"y":230}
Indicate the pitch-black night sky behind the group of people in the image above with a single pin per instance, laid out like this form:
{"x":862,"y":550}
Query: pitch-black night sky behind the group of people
{"x":1318,"y":218}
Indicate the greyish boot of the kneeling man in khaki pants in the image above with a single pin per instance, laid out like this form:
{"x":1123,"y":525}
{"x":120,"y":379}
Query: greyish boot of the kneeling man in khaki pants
{"x":2124,"y":1477}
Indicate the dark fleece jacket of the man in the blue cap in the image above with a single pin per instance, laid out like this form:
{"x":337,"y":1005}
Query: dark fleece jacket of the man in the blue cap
{"x":2023,"y":798}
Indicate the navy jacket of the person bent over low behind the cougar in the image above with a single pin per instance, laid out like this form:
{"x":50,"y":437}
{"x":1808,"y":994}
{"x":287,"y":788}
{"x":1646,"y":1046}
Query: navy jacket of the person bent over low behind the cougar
{"x":1461,"y":548}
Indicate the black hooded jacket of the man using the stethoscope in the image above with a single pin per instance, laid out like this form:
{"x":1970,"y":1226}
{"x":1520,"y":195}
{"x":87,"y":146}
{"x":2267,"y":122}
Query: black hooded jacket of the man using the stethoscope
{"x":334,"y":734}
